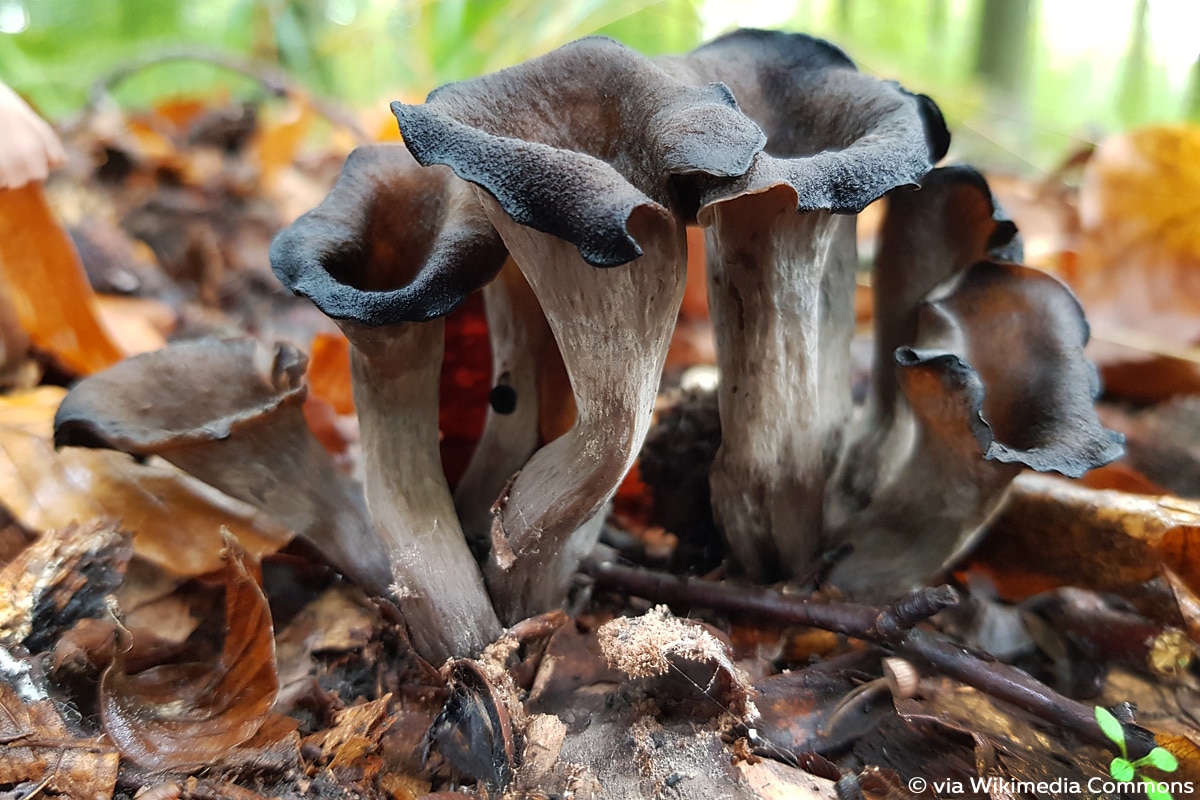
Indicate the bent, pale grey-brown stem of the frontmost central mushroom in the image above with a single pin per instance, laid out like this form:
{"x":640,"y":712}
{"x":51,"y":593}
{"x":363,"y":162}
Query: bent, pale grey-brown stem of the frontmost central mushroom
{"x":613,"y":327}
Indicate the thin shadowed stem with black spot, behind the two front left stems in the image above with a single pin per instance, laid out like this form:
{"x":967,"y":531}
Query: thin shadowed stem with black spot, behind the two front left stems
{"x":521,"y":344}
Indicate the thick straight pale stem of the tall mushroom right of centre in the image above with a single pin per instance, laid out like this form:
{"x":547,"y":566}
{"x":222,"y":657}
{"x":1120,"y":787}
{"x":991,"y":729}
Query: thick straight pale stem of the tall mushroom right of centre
{"x":782,"y":302}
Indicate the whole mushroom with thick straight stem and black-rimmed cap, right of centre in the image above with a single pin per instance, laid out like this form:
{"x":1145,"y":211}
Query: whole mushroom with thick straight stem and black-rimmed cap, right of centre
{"x":782,"y":275}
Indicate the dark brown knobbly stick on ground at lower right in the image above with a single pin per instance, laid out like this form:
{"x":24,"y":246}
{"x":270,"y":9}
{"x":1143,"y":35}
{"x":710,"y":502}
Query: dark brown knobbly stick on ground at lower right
{"x":891,"y":627}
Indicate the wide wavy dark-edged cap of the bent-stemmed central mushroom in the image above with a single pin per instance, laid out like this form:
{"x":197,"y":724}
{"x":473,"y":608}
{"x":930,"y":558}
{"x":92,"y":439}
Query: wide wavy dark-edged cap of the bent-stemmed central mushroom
{"x":573,"y":142}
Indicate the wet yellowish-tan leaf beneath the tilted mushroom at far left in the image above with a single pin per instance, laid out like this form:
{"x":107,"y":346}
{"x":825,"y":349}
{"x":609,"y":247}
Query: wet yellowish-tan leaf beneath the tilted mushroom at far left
{"x":176,"y":520}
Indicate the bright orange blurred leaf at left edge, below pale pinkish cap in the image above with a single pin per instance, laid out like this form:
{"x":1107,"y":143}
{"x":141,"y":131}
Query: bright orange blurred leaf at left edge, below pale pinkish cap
{"x":41,"y":274}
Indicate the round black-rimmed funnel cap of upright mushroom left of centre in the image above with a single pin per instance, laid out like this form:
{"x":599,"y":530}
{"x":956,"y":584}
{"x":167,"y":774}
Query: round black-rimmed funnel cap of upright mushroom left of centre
{"x":392,"y":243}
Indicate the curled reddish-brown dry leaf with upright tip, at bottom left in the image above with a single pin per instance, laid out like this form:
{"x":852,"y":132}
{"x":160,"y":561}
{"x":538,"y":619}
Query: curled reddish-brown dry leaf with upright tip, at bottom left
{"x":187,"y":717}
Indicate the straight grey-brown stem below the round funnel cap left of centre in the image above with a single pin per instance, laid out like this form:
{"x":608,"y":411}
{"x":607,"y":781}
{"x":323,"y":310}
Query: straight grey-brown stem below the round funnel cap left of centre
{"x":439,"y":585}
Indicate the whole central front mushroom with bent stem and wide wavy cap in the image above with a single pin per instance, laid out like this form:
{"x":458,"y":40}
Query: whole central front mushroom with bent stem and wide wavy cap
{"x":584,"y":161}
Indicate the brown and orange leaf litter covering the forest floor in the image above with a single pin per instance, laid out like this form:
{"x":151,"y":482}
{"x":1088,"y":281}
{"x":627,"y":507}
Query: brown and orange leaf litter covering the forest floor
{"x":177,"y":672}
